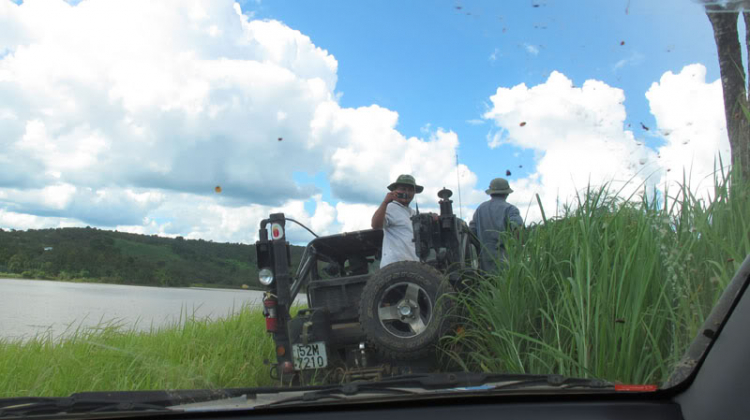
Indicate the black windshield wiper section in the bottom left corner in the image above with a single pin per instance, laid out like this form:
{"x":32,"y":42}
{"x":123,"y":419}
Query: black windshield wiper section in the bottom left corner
{"x":35,"y":406}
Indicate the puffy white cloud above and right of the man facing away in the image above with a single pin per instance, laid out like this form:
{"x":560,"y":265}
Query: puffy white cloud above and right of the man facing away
{"x":578,"y":135}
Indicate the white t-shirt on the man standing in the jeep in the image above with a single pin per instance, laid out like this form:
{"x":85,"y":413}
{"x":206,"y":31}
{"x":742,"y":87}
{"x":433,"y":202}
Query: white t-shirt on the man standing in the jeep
{"x":398,"y":235}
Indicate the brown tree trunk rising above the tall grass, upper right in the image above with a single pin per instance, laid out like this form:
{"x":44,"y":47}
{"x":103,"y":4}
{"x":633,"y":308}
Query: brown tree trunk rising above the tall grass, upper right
{"x":724,"y":24}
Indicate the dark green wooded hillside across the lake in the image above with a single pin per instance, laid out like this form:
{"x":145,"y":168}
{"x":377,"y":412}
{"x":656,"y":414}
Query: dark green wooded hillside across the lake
{"x":126,"y":258}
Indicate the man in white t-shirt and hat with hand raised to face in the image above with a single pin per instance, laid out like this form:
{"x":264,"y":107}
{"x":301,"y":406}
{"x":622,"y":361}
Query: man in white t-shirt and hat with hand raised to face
{"x":394,"y":217}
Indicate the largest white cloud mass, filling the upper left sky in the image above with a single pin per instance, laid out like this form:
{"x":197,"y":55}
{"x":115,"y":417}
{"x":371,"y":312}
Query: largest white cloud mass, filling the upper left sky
{"x":140,"y":105}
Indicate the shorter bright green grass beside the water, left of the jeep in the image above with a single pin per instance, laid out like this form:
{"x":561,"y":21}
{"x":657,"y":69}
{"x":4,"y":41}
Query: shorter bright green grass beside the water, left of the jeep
{"x":221,"y":353}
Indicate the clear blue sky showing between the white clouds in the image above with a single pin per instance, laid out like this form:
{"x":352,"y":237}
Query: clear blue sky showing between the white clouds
{"x":431,"y":61}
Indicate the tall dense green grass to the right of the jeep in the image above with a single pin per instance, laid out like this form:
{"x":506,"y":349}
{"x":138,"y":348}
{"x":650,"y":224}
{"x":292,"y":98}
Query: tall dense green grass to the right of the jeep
{"x":613,"y":289}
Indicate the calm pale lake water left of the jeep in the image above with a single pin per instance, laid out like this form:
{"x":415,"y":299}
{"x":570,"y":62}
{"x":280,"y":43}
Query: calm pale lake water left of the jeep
{"x":30,"y":307}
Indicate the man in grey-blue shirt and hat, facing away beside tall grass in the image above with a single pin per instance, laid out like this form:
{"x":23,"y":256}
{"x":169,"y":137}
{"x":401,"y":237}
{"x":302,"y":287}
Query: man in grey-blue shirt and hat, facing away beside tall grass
{"x":491,"y":219}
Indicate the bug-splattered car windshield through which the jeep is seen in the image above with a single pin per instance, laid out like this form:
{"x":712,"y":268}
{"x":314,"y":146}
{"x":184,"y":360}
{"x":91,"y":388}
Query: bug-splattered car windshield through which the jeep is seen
{"x":539,"y":187}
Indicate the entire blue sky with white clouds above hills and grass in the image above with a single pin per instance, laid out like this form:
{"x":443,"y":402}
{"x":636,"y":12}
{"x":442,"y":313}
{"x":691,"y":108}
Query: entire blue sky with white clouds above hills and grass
{"x":127,"y":115}
